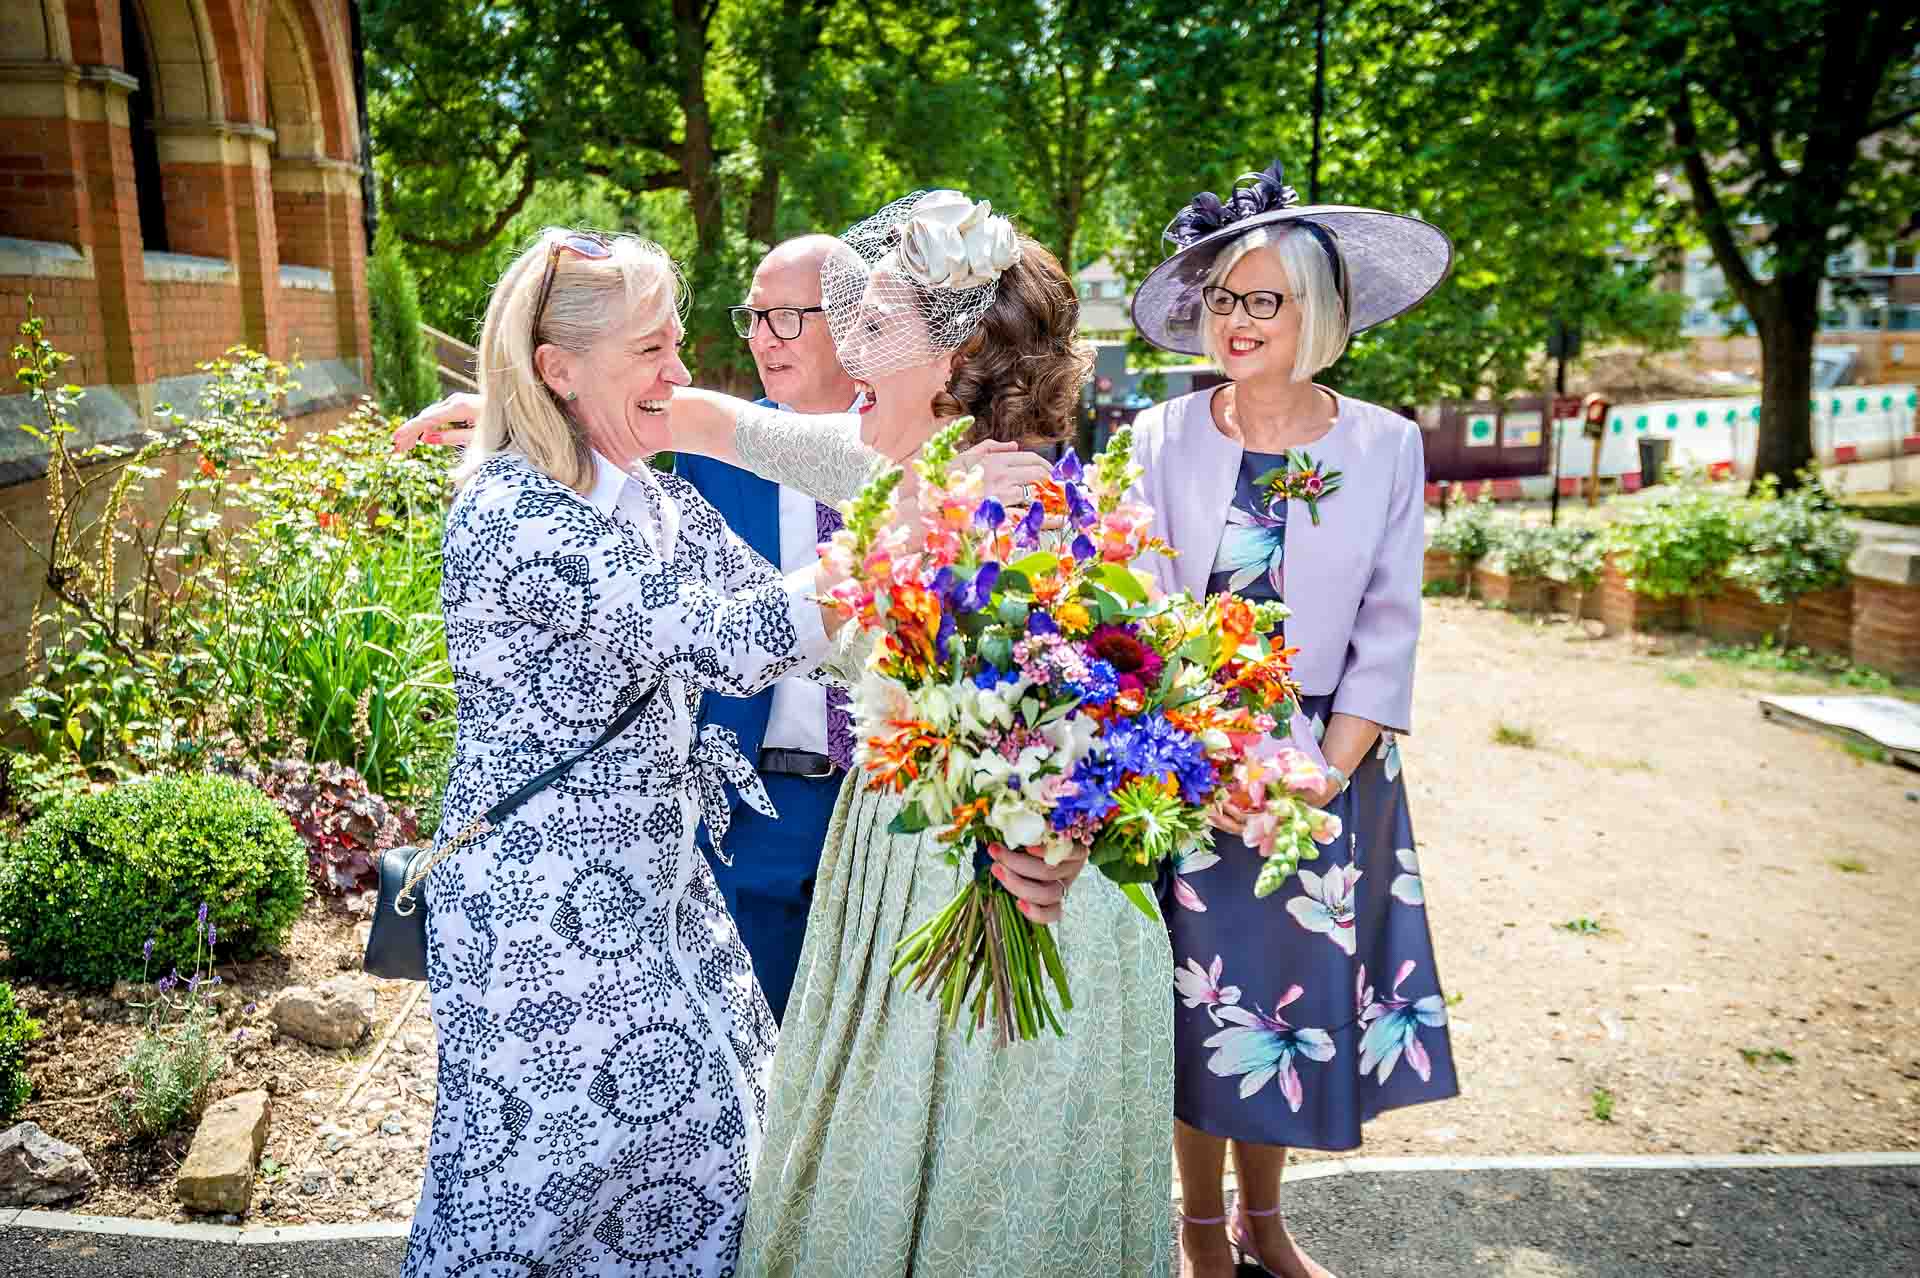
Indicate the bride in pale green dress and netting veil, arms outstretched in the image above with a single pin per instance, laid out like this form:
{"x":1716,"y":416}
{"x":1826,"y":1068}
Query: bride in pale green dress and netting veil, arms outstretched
{"x":896,"y":1147}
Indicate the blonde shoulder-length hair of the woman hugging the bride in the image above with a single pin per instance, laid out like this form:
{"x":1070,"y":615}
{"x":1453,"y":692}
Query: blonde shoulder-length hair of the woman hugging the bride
{"x":590,"y":300}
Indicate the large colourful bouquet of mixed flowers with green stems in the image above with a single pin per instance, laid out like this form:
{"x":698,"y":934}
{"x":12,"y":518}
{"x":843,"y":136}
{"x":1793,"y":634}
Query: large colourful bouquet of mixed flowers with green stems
{"x":1026,"y":692}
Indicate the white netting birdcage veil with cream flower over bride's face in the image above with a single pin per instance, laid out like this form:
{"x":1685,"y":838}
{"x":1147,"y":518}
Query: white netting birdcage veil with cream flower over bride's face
{"x":911,"y":283}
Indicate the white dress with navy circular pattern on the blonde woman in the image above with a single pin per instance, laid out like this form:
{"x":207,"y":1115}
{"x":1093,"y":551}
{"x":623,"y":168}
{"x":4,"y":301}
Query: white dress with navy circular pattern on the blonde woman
{"x":604,"y":1047}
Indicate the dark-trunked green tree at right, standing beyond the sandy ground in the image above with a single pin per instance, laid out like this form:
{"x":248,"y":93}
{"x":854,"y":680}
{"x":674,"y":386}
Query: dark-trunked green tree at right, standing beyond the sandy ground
{"x":1779,"y":131}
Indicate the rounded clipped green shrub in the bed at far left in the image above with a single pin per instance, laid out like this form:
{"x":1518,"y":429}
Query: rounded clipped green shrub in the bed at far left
{"x":95,"y":880}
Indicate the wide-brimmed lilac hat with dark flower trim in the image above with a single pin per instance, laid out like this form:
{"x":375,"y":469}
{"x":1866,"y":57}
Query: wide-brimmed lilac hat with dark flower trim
{"x":1387,"y":264}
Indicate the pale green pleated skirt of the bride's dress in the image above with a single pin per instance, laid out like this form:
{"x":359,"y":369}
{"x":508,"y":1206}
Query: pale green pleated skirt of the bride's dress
{"x":896,"y":1147}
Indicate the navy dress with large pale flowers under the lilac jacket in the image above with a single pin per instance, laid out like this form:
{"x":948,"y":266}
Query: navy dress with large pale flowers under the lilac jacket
{"x":1307,"y":1014}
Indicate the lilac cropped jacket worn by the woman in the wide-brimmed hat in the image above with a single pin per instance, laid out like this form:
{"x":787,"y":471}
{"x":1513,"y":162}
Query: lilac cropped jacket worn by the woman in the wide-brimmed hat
{"x":1353,"y":582}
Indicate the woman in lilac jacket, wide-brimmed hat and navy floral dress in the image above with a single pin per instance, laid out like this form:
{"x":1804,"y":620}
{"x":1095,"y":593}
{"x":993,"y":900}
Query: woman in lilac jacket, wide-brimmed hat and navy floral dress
{"x":1305,"y":1014}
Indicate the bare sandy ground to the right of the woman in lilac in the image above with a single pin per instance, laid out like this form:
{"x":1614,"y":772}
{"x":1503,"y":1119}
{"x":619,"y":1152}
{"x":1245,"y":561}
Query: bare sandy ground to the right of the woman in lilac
{"x":1739,"y":976}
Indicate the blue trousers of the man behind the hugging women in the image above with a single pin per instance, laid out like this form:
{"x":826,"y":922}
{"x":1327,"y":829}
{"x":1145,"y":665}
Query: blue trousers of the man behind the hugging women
{"x":771,"y":884}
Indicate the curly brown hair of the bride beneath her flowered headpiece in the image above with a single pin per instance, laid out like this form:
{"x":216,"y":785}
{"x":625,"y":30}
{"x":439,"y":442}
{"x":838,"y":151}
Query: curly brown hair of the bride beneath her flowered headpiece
{"x":1020,"y":375}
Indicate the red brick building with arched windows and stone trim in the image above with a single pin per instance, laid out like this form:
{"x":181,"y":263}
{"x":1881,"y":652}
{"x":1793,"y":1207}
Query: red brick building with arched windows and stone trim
{"x":176,"y":177}
